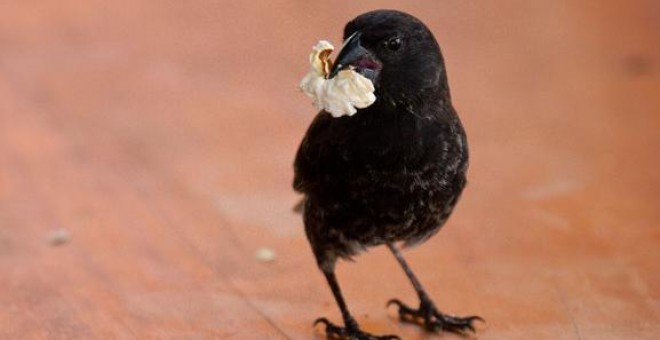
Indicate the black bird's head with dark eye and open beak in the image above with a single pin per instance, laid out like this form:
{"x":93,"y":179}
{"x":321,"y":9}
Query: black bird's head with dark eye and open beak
{"x":395,"y":50}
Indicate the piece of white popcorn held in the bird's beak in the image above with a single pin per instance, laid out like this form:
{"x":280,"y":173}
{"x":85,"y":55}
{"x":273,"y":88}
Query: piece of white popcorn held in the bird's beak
{"x":341,"y":95}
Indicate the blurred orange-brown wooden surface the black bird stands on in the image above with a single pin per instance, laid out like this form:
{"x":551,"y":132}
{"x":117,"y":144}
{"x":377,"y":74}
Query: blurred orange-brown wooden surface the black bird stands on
{"x":145,"y":165}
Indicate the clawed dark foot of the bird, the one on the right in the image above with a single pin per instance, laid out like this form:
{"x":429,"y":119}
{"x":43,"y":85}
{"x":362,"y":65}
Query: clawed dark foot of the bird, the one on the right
{"x":430,"y":318}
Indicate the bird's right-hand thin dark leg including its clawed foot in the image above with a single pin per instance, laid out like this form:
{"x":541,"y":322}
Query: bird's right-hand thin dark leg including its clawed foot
{"x":427,"y":314}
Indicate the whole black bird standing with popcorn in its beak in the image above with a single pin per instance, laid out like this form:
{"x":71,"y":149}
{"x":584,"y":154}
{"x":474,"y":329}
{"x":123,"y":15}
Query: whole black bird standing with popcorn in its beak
{"x":390,"y":174}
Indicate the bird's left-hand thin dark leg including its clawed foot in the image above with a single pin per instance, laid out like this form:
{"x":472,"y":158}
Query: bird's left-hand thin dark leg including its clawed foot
{"x":351,"y":330}
